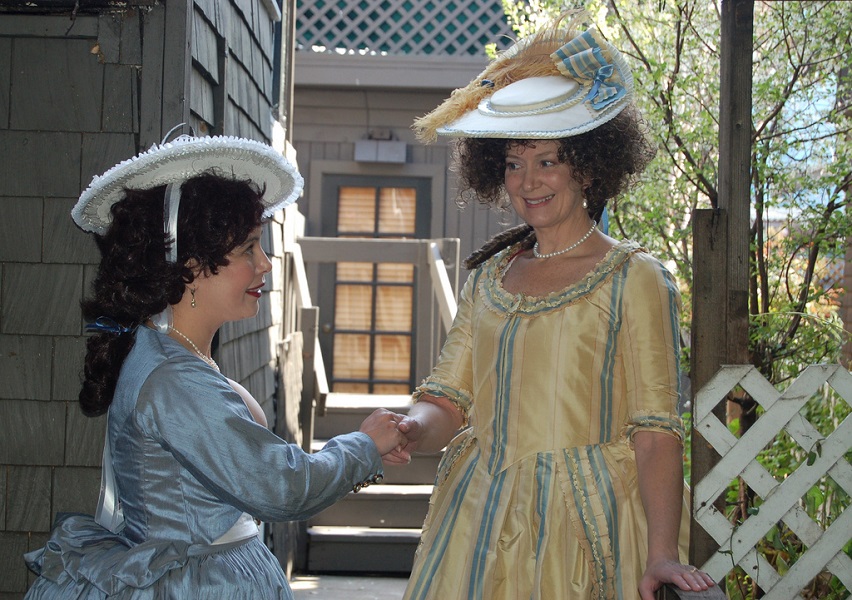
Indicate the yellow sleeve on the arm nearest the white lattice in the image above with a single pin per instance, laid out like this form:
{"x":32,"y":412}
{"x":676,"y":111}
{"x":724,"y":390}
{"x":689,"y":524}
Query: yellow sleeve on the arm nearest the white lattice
{"x":652,"y":348}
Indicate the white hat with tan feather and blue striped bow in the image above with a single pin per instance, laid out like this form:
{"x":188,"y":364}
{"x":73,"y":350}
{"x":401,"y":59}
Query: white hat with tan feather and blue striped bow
{"x":557,"y":83}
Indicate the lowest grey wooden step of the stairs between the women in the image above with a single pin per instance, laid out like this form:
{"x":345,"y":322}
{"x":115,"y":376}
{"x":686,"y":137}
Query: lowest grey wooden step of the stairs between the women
{"x":361,"y":550}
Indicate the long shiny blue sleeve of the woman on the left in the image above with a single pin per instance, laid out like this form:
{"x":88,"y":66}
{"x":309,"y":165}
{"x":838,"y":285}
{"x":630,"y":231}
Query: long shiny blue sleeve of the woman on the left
{"x":196,"y":416}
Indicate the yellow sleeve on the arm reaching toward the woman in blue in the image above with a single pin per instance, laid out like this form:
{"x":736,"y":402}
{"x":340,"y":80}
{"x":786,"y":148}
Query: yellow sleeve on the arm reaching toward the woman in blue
{"x":452,"y":377}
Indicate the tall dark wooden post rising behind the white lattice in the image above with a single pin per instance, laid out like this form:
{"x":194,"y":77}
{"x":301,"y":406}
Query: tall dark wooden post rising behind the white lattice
{"x":721,"y":241}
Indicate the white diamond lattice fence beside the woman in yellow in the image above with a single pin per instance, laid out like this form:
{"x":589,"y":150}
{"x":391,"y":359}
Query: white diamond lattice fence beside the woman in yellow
{"x":781,"y":500}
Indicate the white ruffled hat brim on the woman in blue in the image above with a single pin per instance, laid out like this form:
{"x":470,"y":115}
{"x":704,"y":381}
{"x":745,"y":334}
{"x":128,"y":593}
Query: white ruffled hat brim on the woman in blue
{"x":182,"y":159}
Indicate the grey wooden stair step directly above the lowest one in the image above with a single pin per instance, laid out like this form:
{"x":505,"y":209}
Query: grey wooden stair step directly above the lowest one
{"x":394,"y":506}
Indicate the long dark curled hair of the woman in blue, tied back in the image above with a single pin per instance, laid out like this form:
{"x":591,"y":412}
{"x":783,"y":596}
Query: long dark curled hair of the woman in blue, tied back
{"x":134,"y":281}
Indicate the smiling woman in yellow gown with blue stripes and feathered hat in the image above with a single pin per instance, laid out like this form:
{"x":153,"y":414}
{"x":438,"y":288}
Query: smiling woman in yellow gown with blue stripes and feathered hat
{"x":562,"y":363}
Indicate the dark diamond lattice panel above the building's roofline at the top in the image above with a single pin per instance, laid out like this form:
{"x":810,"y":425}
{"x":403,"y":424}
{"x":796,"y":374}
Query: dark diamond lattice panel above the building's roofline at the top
{"x":402,"y":27}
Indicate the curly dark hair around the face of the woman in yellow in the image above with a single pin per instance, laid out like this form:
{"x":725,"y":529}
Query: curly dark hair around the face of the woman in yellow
{"x":608,"y":158}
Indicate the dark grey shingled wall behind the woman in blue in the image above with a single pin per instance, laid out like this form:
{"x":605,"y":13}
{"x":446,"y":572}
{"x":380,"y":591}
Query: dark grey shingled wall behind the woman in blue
{"x":76,"y":96}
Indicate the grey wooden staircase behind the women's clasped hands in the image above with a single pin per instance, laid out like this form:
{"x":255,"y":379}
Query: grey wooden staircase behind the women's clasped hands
{"x":376,"y":530}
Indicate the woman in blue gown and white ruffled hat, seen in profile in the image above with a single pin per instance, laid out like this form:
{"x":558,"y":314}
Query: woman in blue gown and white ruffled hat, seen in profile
{"x":188,"y":461}
